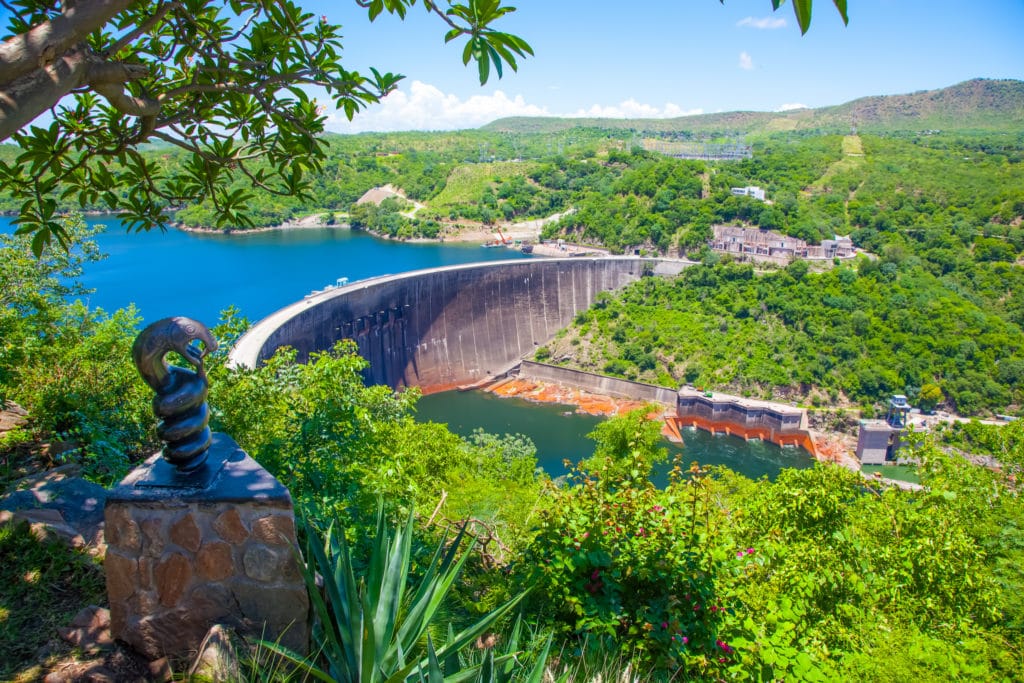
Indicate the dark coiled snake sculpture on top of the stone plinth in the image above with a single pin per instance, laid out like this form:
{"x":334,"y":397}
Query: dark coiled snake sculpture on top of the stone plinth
{"x":181,"y":400}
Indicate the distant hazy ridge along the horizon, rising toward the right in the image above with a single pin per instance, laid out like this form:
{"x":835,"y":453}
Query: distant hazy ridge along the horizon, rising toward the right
{"x":980,"y":105}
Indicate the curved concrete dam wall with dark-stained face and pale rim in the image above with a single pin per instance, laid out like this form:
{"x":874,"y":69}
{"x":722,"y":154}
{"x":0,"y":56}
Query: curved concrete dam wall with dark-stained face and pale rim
{"x":444,"y":328}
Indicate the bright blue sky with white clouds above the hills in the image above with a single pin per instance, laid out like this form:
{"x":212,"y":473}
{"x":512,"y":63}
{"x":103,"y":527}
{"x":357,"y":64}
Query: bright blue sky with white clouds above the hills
{"x":672,"y":58}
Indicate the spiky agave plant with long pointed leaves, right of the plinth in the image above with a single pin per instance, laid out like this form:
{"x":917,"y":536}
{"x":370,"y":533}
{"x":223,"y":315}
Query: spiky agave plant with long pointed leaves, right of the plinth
{"x":374,"y":629}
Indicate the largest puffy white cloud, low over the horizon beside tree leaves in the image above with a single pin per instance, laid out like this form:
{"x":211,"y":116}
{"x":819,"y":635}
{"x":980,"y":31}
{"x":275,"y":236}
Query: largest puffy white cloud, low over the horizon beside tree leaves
{"x":424,"y":107}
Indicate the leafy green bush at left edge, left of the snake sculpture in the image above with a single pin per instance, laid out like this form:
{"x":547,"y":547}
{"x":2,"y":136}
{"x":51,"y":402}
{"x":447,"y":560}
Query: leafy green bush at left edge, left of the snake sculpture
{"x":70,"y":367}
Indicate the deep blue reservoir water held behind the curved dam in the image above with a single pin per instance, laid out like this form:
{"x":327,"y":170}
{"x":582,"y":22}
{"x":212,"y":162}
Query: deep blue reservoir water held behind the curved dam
{"x":200,"y":275}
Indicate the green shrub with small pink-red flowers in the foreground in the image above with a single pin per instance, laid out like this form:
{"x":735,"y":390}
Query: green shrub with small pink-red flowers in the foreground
{"x":618,"y":561}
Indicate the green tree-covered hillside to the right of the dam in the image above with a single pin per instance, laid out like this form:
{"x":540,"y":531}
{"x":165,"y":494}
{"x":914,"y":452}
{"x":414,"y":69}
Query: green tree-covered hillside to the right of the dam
{"x":942,"y":214}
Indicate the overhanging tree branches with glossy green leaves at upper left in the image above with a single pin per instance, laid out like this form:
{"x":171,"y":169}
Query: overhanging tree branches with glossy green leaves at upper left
{"x":226,"y":82}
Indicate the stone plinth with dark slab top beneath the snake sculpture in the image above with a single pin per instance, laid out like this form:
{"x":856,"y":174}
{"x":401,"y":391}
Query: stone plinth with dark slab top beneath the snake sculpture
{"x":181,"y":561}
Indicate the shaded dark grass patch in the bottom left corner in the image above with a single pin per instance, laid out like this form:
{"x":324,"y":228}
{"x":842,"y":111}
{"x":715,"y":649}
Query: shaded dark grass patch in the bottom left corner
{"x":44,"y":584}
